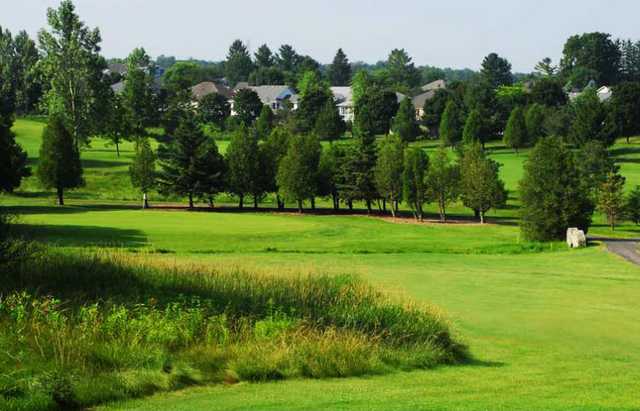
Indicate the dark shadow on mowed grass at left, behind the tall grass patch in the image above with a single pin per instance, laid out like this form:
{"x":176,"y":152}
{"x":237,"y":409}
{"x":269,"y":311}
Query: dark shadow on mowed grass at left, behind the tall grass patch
{"x":82,"y":236}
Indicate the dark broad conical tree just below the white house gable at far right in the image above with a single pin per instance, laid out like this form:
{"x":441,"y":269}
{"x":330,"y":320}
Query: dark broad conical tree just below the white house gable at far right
{"x":590,"y":122}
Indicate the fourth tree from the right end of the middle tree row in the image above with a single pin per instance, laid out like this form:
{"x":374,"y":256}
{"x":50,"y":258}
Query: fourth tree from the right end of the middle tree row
{"x":389,"y":170}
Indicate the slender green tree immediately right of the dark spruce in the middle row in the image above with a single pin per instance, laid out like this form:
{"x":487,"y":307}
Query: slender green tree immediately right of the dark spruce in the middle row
{"x":243,"y":161}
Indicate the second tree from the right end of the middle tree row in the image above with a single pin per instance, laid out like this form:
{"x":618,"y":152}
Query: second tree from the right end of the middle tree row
{"x":442,"y":181}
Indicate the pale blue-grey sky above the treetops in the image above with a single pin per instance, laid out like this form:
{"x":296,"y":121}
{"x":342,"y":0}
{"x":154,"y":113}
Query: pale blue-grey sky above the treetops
{"x":441,"y":33}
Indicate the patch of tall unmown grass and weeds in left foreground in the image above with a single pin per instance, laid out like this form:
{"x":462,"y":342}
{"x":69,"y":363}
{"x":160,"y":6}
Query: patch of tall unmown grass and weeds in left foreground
{"x":80,"y":330}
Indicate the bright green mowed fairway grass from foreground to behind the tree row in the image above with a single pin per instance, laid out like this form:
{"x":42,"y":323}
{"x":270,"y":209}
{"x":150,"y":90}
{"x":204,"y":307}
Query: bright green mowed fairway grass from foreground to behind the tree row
{"x":550,"y":329}
